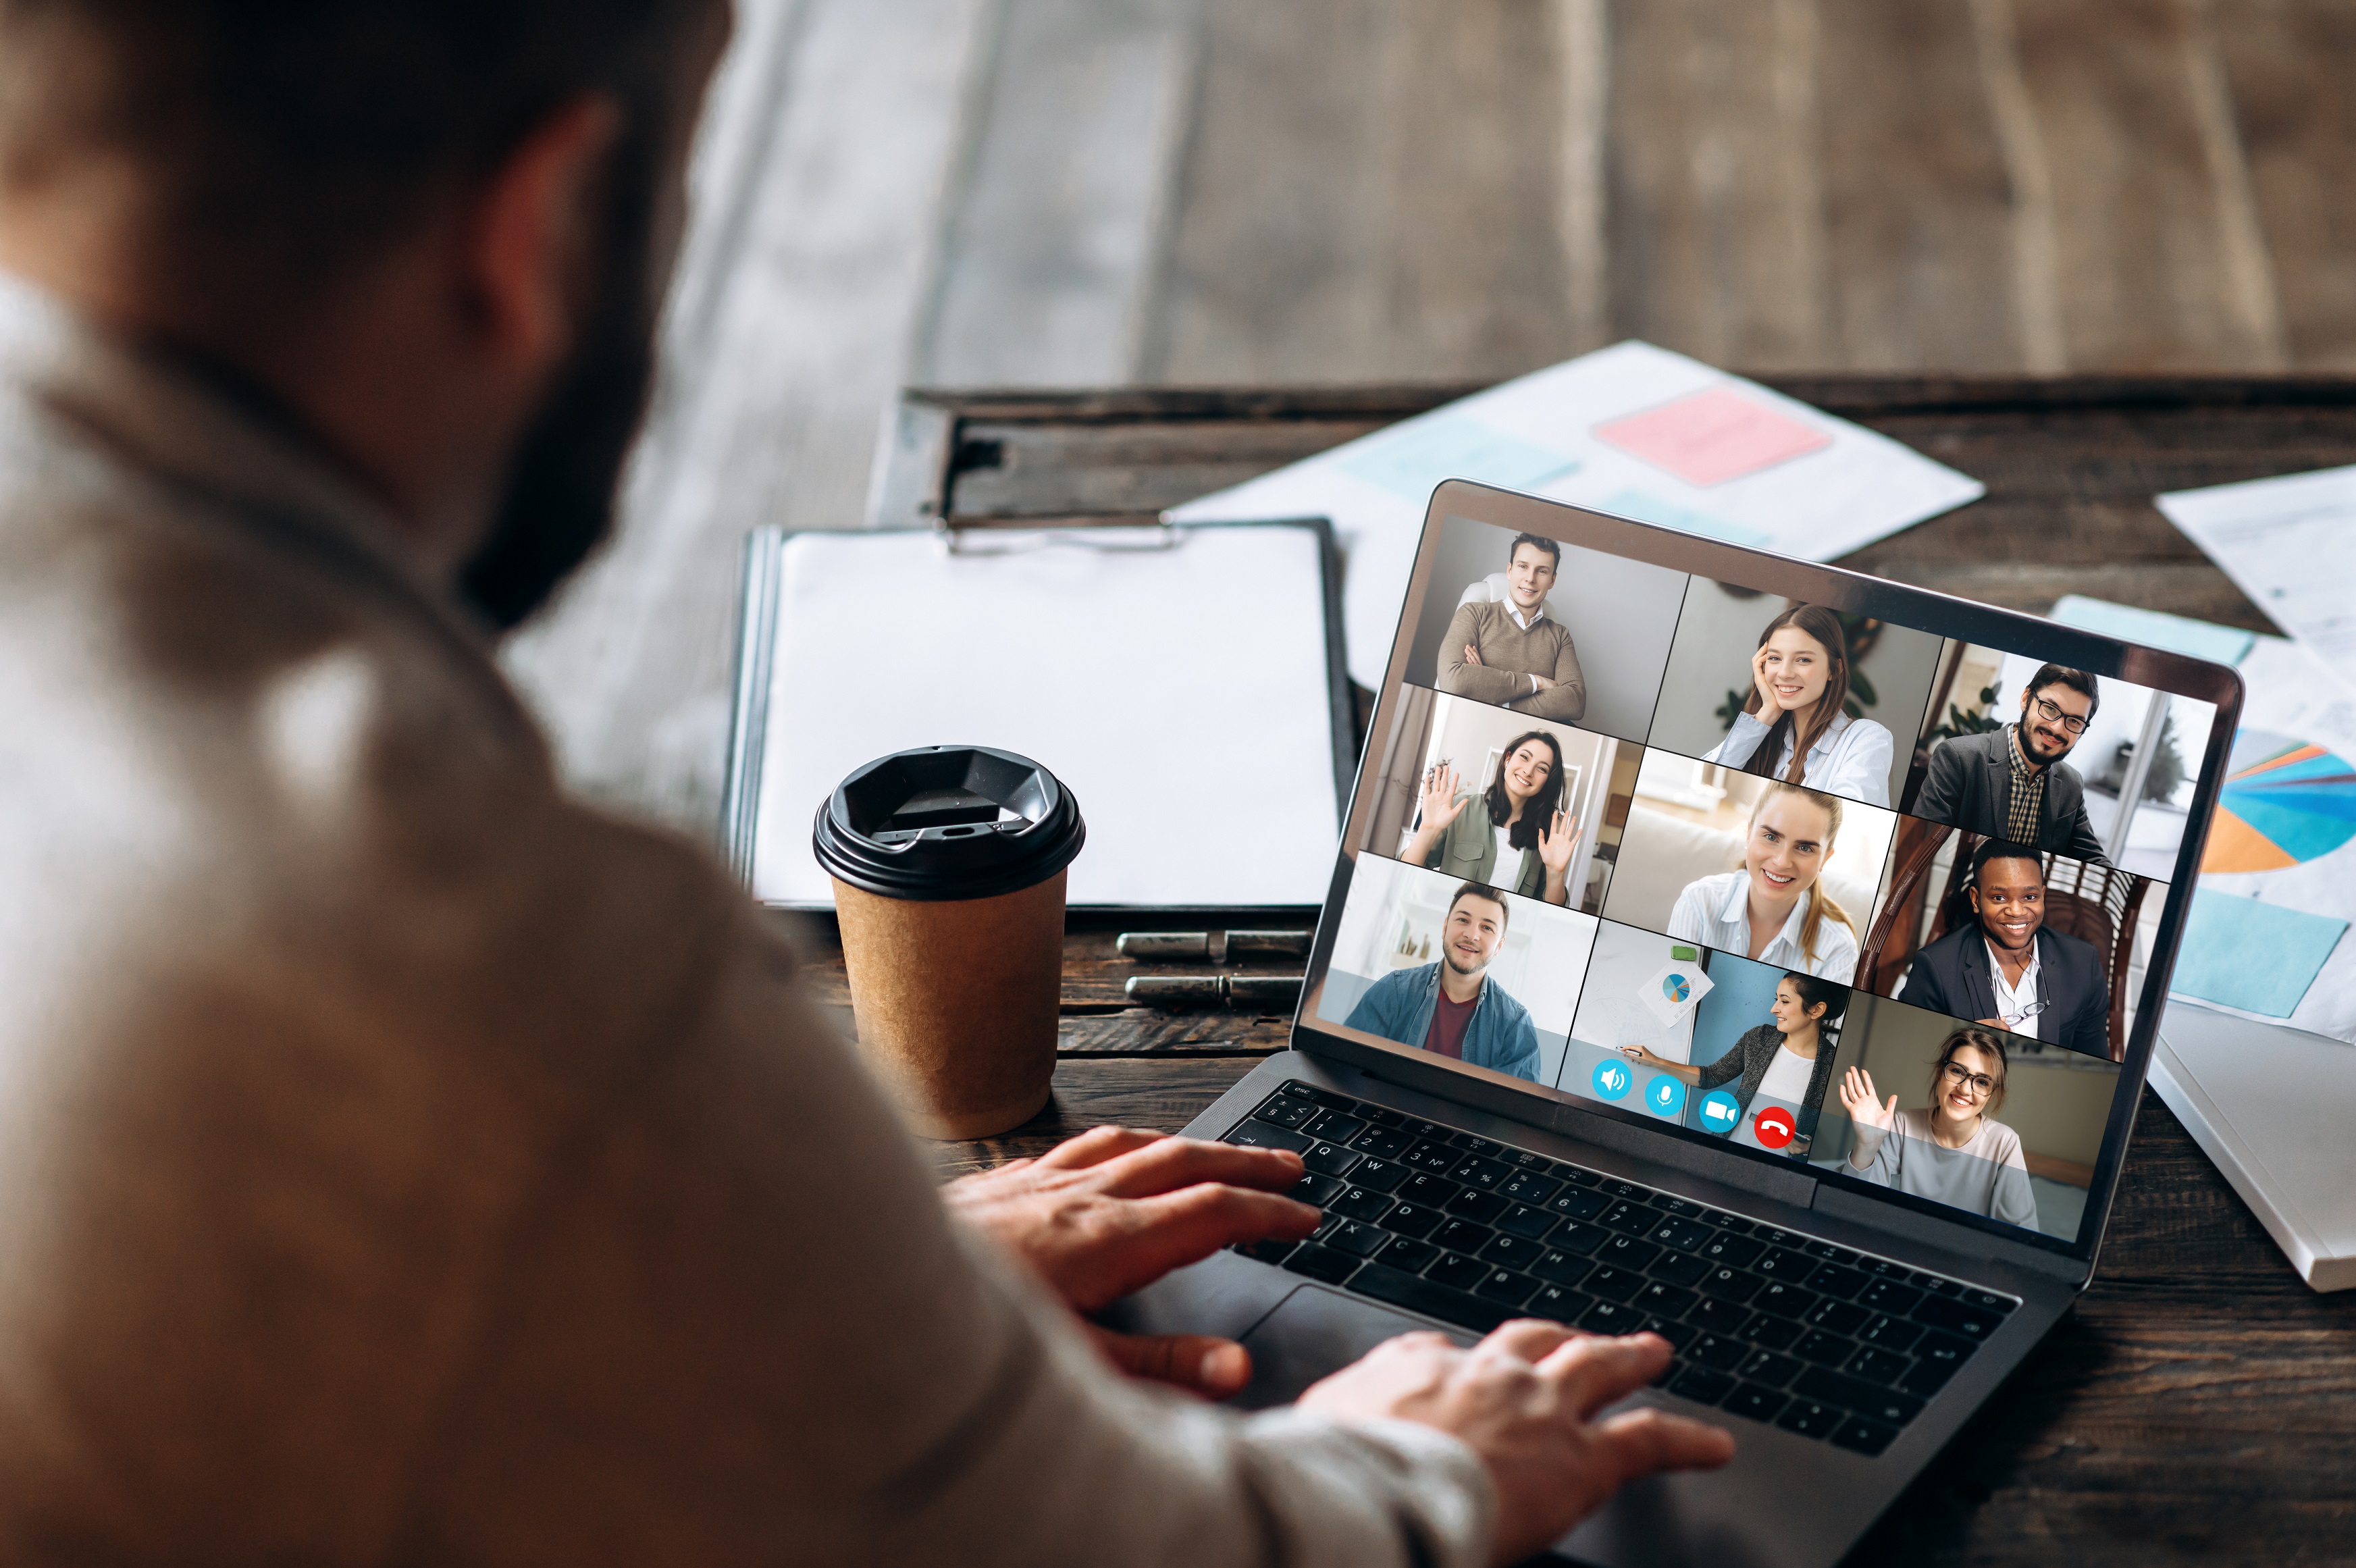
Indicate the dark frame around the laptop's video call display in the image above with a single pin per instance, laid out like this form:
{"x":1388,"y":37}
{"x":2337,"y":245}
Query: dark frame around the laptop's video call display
{"x":1841,"y":590}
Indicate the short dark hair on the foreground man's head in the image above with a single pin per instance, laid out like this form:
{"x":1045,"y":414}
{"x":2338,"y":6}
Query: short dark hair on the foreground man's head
{"x":272,"y":145}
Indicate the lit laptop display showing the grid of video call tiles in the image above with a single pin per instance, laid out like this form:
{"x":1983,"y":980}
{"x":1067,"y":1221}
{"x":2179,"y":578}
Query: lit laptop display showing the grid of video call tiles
{"x":1794,"y":879}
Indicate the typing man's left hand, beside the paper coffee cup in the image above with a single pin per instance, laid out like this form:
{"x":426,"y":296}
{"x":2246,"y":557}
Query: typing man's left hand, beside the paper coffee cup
{"x":1118,"y":1209}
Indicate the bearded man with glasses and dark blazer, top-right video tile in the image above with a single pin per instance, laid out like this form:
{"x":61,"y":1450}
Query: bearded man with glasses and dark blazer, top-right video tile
{"x":2013,"y":783}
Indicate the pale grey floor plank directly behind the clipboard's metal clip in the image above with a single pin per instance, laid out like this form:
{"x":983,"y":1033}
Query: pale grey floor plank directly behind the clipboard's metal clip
{"x":1054,"y":239}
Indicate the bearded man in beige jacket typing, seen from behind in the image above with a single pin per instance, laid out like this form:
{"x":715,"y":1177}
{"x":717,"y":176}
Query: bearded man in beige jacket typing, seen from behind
{"x":406,"y":1162}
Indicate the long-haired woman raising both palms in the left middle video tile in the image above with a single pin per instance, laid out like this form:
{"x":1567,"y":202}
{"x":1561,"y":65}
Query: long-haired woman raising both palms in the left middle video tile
{"x":1521,"y":823}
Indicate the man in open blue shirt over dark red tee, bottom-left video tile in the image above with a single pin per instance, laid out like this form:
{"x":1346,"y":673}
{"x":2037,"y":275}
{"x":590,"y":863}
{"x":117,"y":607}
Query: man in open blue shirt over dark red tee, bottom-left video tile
{"x":1450,"y":1006}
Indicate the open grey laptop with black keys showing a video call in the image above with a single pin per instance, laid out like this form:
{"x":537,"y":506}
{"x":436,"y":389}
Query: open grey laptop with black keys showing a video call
{"x":1615,"y":1018}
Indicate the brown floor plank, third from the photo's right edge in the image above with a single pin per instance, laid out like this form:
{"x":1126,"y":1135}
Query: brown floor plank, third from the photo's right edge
{"x":1917,"y":197}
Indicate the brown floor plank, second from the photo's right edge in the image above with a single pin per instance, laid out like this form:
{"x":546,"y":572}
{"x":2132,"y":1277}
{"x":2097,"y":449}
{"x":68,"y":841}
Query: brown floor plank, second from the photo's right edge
{"x":2157,"y":255}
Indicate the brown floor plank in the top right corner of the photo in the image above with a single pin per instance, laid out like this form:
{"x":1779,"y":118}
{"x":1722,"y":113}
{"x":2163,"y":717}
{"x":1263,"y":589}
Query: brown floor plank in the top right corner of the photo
{"x":2289,"y":69}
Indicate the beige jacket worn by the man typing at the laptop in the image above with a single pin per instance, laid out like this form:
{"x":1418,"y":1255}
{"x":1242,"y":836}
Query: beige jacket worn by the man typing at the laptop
{"x":402,"y":1162}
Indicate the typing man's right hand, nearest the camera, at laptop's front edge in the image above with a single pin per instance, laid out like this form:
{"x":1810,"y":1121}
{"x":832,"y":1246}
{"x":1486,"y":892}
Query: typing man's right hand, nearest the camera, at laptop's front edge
{"x":1526,"y":1402}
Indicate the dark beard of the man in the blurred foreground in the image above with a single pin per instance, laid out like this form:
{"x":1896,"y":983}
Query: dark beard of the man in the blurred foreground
{"x":560,"y":498}
